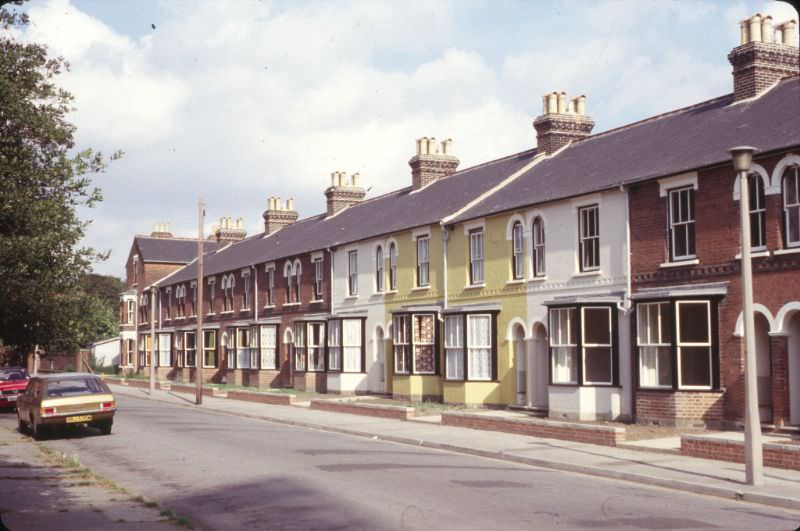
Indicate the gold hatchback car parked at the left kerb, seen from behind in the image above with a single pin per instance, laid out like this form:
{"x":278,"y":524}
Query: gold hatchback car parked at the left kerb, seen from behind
{"x":65,"y":399}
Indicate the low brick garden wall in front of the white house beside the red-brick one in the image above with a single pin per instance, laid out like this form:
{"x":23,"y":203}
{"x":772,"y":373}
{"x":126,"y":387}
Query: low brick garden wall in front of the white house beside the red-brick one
{"x":549,"y":429}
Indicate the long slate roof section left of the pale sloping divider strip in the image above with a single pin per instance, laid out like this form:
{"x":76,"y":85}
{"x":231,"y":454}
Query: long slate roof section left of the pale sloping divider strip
{"x":399,"y":210}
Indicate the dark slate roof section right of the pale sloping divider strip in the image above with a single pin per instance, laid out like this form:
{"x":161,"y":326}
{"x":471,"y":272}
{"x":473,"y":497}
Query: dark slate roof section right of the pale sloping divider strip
{"x":668,"y":144}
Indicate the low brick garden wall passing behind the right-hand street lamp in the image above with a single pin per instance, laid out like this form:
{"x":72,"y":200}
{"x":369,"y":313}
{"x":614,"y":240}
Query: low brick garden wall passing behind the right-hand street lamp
{"x":775,"y":455}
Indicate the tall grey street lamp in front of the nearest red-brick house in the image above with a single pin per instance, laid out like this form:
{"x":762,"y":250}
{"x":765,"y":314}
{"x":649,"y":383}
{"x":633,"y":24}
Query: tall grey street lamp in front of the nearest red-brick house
{"x":754,"y":473}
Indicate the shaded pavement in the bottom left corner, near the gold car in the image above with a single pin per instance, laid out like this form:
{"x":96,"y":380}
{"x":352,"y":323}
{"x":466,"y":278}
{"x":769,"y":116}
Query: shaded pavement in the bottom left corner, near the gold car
{"x":41,"y":491}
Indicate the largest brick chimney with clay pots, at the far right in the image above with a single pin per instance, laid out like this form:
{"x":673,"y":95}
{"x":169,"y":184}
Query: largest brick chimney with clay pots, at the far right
{"x":766,"y":54}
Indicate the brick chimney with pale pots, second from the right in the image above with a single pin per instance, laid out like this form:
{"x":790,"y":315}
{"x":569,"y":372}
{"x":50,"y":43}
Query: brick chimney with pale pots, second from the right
{"x":559,"y":125}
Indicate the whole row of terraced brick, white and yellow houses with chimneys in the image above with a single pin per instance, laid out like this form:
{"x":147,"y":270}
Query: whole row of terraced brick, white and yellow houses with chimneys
{"x":595,"y":276}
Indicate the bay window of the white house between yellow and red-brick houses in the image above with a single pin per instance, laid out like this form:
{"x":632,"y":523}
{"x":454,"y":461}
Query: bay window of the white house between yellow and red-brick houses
{"x":582,"y":348}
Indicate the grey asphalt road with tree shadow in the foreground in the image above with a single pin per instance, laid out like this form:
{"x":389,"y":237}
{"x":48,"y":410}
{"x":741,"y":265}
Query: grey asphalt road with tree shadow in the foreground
{"x":228,"y":472}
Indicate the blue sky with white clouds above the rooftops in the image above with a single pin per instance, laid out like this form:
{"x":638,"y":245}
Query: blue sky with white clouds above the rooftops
{"x":238,"y":101}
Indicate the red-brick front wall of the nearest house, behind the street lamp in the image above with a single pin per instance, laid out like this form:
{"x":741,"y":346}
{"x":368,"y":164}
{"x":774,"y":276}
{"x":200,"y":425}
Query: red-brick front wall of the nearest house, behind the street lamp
{"x":713,"y":275}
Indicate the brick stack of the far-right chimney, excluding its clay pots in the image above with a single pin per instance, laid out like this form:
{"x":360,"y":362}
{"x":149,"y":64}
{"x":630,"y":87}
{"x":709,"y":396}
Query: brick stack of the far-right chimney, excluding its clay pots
{"x":758,"y":65}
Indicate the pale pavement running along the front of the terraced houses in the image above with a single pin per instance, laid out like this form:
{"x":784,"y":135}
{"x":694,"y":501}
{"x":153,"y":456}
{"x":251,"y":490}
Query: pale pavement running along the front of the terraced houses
{"x":700,"y":476}
